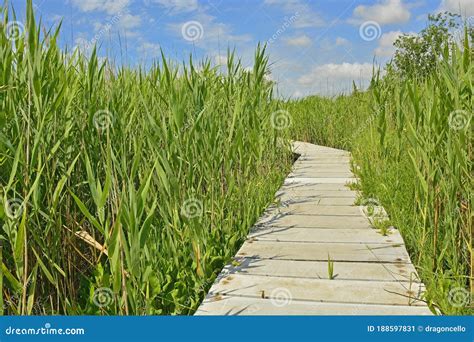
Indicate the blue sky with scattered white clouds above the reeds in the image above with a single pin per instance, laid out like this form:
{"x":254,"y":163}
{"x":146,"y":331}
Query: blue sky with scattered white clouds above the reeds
{"x":314,"y":46}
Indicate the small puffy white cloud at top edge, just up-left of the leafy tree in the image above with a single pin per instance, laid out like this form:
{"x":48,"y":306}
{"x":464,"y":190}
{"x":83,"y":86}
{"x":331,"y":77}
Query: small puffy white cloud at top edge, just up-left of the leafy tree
{"x":385,"y":12}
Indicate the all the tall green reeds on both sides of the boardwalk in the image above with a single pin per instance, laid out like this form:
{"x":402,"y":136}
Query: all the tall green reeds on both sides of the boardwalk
{"x":125,"y":190}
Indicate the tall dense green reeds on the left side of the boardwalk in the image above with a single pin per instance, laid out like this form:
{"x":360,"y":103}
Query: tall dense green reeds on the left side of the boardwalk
{"x":125,"y":191}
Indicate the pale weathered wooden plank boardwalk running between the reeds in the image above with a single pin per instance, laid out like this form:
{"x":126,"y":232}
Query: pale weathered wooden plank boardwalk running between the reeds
{"x":282,"y":268}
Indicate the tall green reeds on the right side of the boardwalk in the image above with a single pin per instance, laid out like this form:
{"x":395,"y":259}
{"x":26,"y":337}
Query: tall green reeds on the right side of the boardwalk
{"x":412,"y":142}
